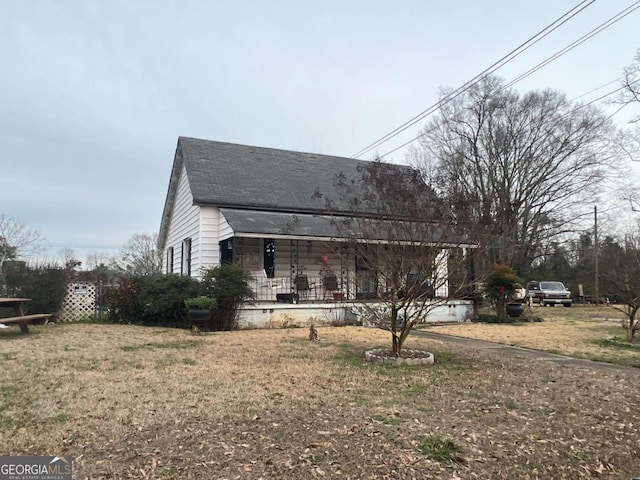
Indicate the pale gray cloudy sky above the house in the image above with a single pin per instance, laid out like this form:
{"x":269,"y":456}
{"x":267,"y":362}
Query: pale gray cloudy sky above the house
{"x":94,"y":94}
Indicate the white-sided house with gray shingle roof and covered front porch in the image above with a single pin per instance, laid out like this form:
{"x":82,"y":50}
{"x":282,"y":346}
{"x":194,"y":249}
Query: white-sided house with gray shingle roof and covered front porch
{"x":273,"y":212}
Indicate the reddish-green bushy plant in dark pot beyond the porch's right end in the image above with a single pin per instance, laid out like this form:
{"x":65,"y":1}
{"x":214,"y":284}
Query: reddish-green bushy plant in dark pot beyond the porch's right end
{"x":502,"y":286}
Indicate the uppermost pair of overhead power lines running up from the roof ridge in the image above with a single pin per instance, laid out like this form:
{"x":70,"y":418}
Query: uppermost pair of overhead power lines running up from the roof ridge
{"x":494,"y":67}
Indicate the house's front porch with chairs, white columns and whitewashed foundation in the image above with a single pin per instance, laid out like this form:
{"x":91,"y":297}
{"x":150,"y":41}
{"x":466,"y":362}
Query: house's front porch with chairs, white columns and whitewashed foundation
{"x":300,"y":276}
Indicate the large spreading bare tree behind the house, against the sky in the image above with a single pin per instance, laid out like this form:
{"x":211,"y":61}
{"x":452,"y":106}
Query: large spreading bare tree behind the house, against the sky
{"x":523,"y":164}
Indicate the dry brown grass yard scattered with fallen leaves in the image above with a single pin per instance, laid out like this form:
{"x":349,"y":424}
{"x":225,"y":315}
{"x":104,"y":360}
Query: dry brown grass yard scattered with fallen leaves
{"x":136,"y":402}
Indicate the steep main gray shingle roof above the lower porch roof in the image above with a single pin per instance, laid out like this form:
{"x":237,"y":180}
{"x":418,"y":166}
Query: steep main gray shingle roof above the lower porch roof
{"x":226,"y":174}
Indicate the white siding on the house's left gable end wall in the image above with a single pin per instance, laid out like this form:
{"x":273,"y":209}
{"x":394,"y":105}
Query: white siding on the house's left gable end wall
{"x":184,"y":224}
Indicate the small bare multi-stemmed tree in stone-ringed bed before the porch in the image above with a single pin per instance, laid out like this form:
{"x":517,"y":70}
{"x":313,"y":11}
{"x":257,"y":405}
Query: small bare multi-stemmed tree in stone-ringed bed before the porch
{"x":408,"y":254}
